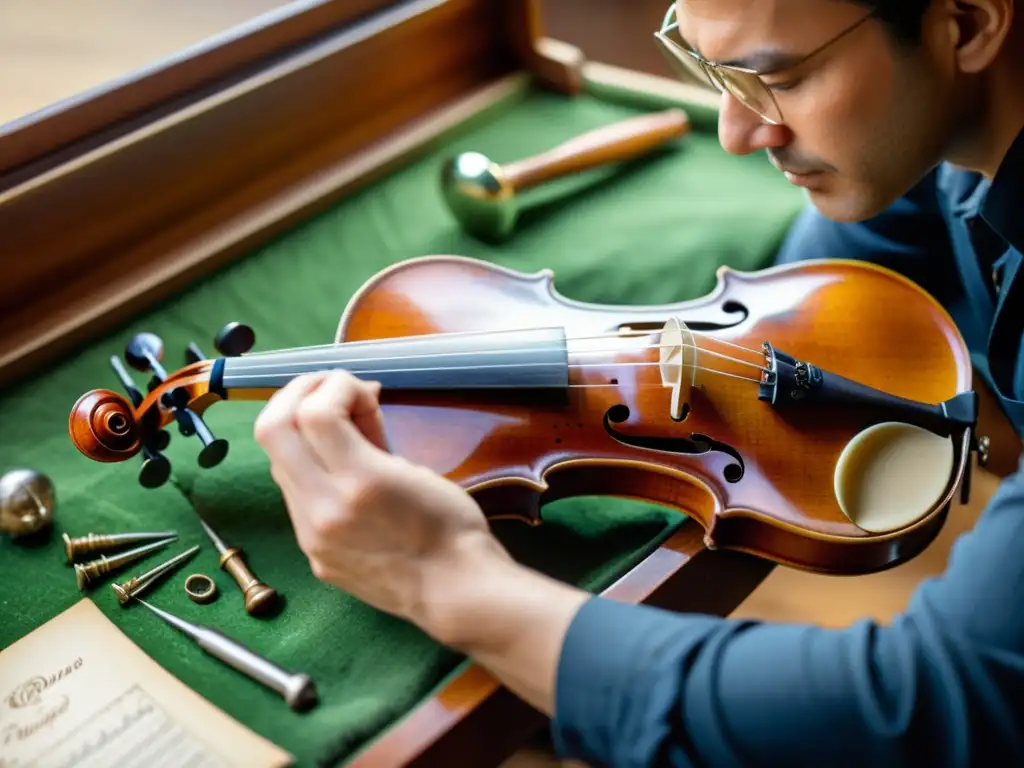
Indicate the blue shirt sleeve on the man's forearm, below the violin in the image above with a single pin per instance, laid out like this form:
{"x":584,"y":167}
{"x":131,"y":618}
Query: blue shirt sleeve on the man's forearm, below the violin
{"x":942,"y":686}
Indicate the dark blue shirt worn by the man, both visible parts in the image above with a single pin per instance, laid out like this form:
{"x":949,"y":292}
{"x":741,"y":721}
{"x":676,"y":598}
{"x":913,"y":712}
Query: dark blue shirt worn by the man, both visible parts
{"x":944,"y":684}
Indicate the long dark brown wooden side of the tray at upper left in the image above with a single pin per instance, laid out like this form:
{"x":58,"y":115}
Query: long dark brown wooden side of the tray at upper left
{"x":170,"y":195}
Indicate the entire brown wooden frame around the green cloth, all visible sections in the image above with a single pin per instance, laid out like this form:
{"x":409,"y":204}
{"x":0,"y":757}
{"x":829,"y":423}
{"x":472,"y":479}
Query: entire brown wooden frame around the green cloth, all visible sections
{"x":112,"y":202}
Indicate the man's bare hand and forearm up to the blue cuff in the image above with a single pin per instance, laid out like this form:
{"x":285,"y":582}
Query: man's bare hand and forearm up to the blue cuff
{"x":406,"y":540}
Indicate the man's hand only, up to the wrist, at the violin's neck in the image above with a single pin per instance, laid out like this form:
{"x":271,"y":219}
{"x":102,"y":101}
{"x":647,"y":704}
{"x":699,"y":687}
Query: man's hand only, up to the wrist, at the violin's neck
{"x":371,"y":524}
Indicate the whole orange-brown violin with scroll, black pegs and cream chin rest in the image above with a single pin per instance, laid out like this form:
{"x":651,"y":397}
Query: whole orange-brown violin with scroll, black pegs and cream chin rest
{"x":820,"y":415}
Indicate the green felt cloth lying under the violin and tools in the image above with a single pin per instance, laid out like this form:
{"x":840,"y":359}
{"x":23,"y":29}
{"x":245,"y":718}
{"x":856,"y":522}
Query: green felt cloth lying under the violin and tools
{"x":652,"y":233}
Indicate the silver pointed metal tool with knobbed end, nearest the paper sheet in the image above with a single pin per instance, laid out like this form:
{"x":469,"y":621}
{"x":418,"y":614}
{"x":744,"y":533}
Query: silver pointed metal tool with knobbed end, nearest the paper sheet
{"x":297,"y":690}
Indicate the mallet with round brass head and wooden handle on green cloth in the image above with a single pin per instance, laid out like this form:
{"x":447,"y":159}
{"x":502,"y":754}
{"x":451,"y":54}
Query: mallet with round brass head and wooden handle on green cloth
{"x":484,"y":196}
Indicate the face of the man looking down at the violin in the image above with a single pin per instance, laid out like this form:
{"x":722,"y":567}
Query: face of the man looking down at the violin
{"x":863,"y":121}
